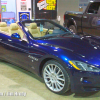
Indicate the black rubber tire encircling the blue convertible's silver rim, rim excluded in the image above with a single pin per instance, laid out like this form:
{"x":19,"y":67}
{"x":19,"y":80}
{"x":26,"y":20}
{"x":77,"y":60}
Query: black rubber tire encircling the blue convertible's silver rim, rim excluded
{"x":67,"y":78}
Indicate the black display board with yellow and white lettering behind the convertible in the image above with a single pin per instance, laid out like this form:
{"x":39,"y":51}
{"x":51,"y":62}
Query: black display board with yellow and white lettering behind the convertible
{"x":45,"y":9}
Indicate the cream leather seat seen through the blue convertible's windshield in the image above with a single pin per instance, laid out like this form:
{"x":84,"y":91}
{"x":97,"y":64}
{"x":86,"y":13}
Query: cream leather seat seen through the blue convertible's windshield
{"x":34,"y":30}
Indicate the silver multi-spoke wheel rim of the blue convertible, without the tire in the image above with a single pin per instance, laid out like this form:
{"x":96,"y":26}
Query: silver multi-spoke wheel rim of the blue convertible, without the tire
{"x":54,"y":77}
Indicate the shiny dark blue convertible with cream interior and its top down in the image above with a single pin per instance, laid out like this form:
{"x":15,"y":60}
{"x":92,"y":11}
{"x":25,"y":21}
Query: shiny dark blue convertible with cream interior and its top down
{"x":64,"y":60}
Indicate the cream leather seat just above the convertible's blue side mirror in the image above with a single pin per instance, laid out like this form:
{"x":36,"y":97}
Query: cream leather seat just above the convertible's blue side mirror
{"x":15,"y":29}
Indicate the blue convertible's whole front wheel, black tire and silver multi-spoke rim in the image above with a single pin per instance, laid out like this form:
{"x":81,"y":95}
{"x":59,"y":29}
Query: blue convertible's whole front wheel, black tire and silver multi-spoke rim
{"x":51,"y":70}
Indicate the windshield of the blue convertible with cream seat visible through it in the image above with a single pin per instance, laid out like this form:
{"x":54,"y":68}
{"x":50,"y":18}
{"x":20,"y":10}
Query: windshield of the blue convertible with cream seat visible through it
{"x":45,"y":29}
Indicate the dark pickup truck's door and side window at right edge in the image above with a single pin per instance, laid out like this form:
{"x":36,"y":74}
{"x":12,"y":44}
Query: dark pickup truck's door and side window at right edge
{"x":91,"y":19}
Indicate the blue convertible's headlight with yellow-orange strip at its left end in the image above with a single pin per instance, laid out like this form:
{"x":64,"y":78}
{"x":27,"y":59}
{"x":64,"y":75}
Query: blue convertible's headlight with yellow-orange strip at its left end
{"x":84,"y":66}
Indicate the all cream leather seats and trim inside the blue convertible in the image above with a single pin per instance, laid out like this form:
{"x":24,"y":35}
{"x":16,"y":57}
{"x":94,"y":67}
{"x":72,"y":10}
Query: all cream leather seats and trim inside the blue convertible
{"x":33,"y":29}
